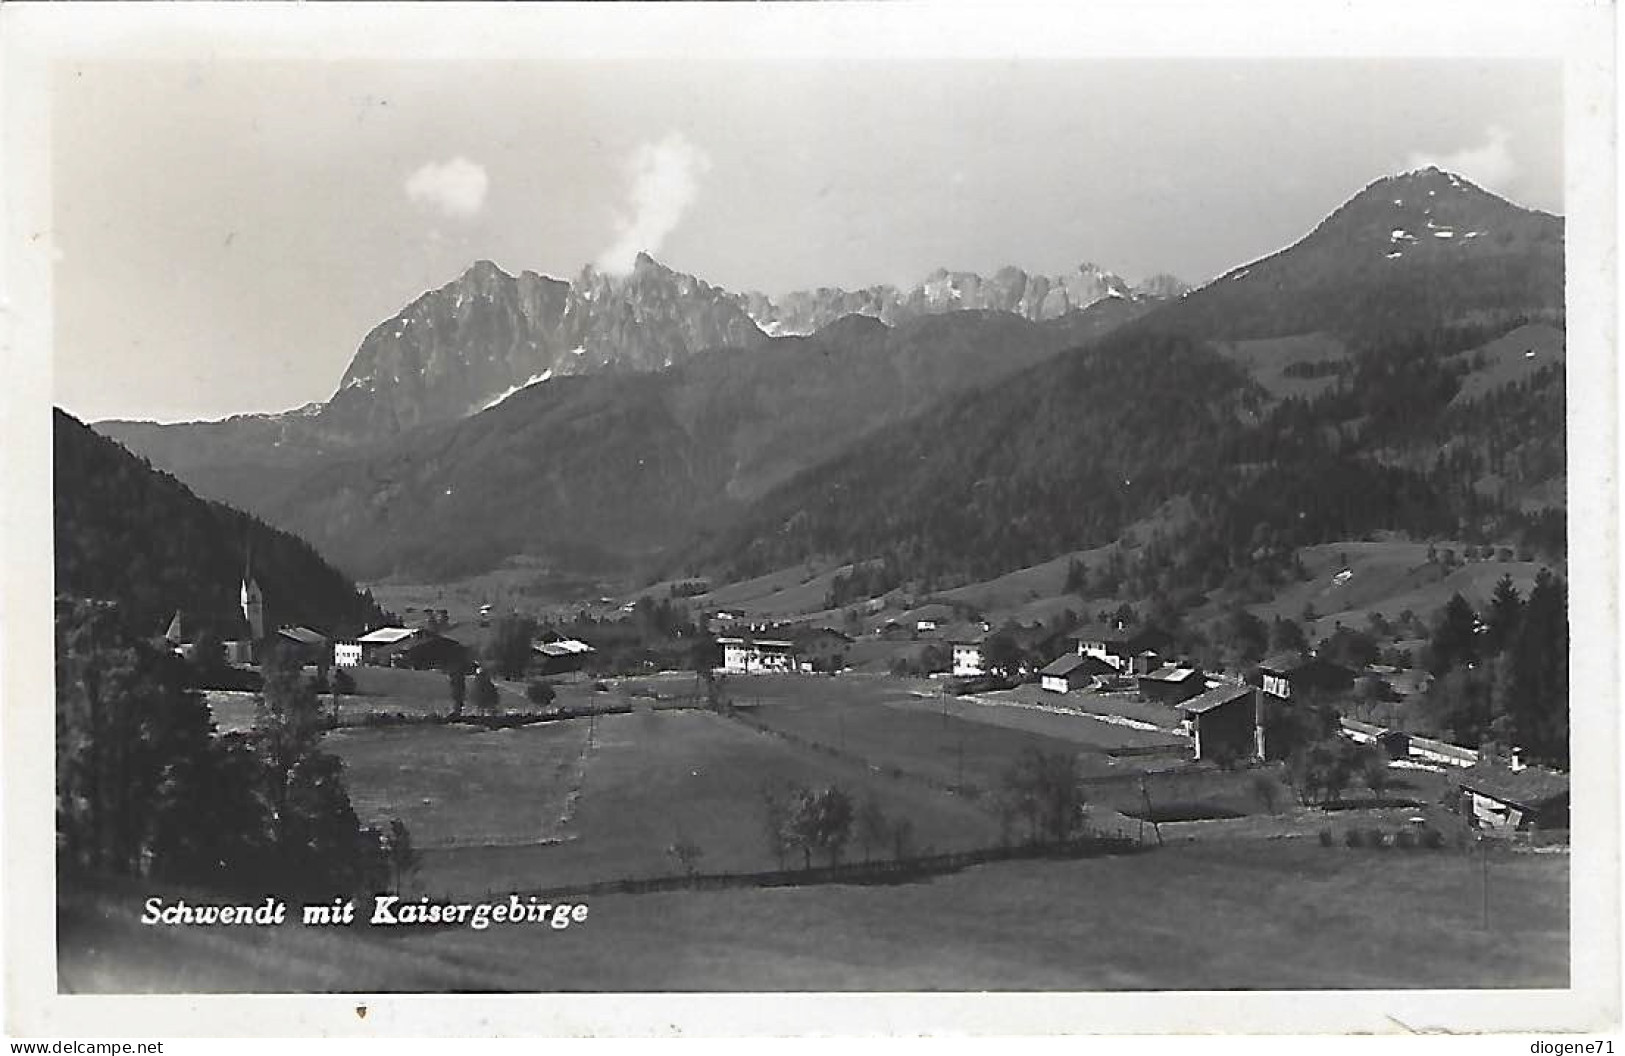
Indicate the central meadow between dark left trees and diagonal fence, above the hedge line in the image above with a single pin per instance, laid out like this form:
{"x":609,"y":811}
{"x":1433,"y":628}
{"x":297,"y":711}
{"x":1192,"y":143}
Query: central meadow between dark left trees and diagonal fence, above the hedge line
{"x":656,"y":777}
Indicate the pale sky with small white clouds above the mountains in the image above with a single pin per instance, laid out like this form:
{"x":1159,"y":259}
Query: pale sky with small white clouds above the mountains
{"x":228,"y":230}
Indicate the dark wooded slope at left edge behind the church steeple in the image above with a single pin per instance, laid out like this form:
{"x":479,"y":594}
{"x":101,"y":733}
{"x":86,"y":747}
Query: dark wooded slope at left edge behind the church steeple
{"x":137,"y":537}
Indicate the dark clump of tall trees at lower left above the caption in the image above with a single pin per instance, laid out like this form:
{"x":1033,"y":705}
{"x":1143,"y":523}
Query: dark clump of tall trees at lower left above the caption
{"x":145,"y":787}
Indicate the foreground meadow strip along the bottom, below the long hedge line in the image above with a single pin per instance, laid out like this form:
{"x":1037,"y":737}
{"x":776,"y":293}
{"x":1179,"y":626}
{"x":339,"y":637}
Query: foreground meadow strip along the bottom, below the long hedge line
{"x":1224,"y":914}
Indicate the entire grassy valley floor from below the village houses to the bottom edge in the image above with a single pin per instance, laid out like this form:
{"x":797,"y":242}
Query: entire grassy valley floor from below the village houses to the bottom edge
{"x":1242,"y":896}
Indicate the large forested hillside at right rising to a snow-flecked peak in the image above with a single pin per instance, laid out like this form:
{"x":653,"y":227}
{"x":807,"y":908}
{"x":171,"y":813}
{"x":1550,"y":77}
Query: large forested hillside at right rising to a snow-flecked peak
{"x":1434,"y":407}
